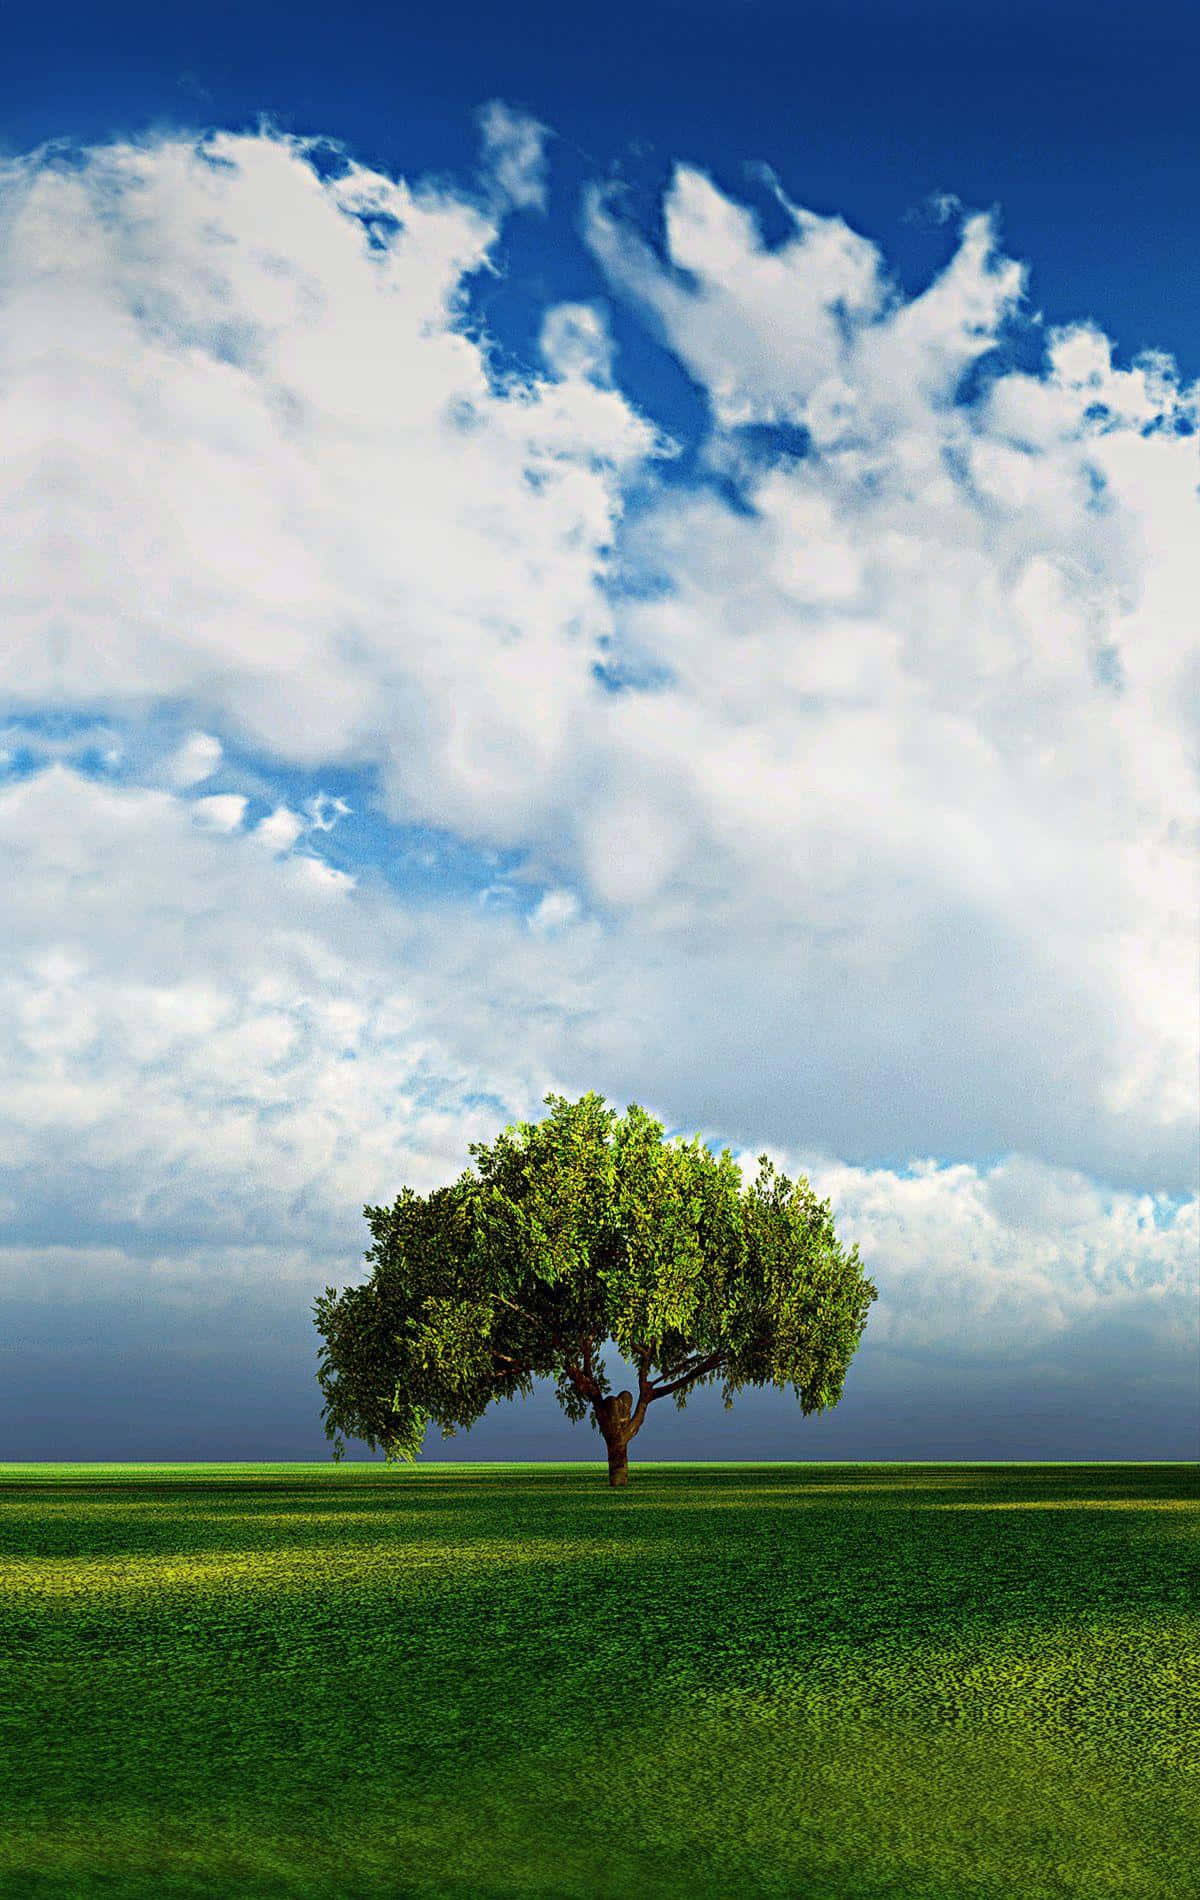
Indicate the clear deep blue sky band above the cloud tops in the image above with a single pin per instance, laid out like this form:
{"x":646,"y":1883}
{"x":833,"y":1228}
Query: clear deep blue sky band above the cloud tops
{"x":1074,"y":119}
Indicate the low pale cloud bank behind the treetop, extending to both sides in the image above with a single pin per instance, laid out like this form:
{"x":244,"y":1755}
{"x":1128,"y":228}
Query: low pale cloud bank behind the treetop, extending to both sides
{"x":212,"y":1063}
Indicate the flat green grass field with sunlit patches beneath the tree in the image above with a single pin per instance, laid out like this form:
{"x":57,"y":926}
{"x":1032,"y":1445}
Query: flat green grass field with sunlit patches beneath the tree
{"x":483,"y":1682}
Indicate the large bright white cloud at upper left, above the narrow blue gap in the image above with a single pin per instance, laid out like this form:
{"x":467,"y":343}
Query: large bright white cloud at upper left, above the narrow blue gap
{"x":339,"y":537}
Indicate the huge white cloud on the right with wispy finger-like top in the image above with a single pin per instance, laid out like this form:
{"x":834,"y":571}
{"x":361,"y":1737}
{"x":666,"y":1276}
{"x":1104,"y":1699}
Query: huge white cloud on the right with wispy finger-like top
{"x":931,"y":717}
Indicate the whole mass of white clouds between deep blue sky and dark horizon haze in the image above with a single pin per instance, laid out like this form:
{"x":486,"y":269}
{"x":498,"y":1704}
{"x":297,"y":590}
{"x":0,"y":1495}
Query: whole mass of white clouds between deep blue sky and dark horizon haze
{"x":848,"y":789}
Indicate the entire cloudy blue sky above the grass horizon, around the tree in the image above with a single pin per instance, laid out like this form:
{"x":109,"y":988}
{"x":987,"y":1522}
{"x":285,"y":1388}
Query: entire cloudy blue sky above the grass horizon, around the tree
{"x":647,"y":550}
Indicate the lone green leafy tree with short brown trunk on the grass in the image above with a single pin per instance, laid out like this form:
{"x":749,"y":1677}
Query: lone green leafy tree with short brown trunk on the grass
{"x":571,"y":1232}
